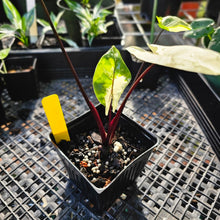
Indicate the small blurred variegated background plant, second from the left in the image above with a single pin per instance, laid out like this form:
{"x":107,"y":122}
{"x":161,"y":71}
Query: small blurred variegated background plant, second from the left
{"x":60,"y":29}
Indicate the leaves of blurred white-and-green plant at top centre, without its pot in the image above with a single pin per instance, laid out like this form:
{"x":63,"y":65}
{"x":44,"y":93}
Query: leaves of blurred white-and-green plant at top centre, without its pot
{"x":92,"y":22}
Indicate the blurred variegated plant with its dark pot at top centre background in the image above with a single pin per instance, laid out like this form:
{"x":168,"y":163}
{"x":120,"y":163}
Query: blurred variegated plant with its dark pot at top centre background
{"x":95,"y":24}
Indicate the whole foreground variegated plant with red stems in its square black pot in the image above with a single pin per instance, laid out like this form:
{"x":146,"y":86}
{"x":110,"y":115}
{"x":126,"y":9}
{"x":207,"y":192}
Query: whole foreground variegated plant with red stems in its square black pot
{"x":95,"y":141}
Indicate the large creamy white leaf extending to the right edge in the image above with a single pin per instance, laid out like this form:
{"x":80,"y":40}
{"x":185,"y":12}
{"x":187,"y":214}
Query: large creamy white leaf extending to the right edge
{"x":188,"y":58}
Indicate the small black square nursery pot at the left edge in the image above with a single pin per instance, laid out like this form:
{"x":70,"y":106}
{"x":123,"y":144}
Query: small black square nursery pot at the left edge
{"x":21,"y":81}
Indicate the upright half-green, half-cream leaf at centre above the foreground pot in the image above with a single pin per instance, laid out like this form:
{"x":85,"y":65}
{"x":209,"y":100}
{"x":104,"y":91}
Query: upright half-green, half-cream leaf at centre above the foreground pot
{"x":110,"y":78}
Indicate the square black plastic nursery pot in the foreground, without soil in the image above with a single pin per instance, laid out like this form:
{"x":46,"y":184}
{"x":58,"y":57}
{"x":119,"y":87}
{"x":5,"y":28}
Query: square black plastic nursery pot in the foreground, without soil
{"x":102,"y":198}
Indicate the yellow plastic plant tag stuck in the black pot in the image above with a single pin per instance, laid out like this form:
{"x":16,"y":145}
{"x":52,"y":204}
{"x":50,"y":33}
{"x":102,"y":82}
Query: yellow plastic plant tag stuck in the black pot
{"x":54,"y":113}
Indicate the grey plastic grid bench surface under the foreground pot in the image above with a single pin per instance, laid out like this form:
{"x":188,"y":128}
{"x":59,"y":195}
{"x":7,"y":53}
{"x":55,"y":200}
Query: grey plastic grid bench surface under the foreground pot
{"x":181,"y":180}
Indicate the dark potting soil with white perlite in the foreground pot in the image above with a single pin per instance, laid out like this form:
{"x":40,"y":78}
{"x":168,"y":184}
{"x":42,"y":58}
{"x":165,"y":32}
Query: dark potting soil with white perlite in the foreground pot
{"x":87,"y":154}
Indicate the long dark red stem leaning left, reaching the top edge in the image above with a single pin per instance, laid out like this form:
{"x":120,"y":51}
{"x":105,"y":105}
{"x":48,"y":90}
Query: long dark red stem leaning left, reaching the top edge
{"x":89,"y":103}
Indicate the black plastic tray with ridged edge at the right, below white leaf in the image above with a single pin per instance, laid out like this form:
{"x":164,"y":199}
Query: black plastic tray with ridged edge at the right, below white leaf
{"x":204,"y":104}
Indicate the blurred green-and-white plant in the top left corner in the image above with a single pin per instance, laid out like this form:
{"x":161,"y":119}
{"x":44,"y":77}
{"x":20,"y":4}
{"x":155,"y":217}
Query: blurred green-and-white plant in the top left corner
{"x":20,"y":25}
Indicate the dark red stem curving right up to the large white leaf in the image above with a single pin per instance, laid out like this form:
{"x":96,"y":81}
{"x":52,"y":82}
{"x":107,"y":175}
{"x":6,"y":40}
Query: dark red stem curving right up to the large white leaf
{"x":114,"y":122}
